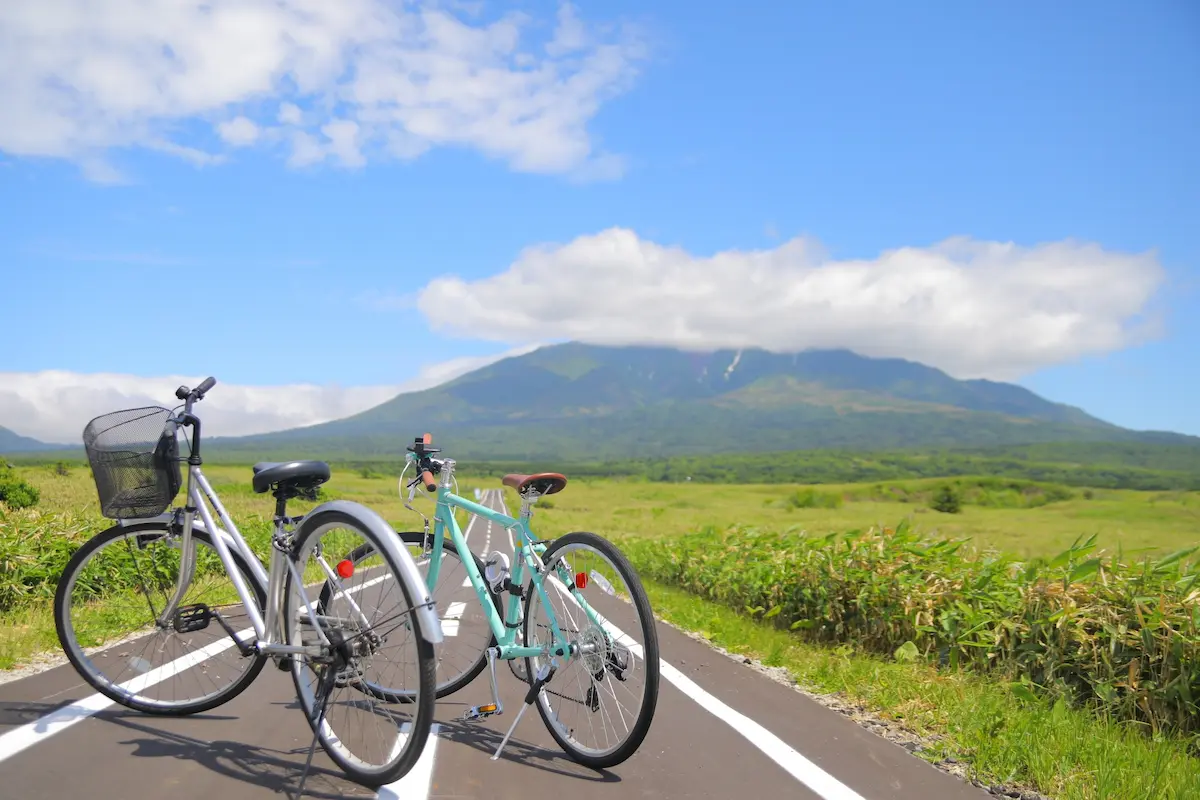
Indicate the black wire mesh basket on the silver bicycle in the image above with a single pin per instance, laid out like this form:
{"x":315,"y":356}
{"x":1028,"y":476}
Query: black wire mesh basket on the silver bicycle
{"x":135,"y":462}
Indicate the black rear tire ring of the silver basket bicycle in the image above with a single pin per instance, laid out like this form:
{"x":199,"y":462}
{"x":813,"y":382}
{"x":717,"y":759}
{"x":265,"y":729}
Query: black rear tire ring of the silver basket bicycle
{"x":423,"y":721}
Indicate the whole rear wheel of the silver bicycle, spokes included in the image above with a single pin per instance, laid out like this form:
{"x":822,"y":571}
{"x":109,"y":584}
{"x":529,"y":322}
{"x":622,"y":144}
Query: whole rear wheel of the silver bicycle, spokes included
{"x":371,"y":621}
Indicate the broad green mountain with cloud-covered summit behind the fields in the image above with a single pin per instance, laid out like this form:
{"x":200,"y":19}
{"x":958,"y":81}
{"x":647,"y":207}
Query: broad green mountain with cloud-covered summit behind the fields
{"x":578,"y":402}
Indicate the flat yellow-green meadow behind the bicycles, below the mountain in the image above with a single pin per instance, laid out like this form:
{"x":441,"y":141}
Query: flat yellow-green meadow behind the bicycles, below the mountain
{"x":1137,"y":522}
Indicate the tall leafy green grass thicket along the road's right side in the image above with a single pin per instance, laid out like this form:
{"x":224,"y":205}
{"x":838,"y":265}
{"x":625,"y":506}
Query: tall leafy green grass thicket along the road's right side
{"x":1121,"y":639}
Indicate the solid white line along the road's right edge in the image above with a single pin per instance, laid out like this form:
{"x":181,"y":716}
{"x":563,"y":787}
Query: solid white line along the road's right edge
{"x":775,"y":748}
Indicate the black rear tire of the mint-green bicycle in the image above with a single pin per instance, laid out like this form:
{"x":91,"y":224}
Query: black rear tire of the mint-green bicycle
{"x":650,"y":641}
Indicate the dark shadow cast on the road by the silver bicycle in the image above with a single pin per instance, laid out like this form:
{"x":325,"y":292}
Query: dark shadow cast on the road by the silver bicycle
{"x":275,"y":771}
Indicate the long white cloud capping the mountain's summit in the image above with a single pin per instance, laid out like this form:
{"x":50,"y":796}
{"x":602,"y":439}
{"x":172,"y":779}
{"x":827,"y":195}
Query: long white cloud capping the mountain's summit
{"x":974,"y":309}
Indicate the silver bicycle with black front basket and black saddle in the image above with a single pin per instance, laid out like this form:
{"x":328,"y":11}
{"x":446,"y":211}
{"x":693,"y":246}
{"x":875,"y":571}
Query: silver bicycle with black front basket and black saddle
{"x":135,"y":606}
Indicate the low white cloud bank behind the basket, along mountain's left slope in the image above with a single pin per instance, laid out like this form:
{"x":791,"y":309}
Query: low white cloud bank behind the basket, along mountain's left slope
{"x":55,"y":406}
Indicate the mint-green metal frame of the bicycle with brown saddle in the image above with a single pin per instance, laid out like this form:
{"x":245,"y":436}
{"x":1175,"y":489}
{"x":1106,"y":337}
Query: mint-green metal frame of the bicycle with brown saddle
{"x":527,"y":556}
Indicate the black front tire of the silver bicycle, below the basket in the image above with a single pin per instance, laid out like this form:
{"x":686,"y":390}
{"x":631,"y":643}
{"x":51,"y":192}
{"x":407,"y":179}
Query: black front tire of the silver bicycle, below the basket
{"x":74,"y":652}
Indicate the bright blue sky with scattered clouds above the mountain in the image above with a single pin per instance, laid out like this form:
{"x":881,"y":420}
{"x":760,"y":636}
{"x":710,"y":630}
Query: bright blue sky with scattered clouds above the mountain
{"x":860,"y":128}
